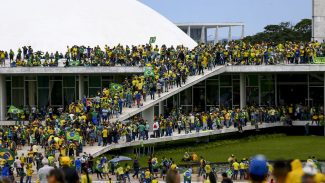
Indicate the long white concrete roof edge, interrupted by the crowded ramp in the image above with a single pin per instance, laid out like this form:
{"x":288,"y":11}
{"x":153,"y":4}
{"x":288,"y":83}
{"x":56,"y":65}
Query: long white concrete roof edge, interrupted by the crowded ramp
{"x":138,"y":70}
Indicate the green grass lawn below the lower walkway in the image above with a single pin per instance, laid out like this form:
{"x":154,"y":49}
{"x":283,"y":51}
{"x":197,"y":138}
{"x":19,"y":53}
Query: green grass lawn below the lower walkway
{"x":274,"y":147}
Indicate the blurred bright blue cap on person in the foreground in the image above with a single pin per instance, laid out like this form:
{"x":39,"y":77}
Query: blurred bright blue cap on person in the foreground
{"x":258,"y":166}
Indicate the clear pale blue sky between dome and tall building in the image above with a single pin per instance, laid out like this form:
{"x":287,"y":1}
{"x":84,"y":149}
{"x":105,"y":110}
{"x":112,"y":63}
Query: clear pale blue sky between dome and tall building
{"x":256,"y":14}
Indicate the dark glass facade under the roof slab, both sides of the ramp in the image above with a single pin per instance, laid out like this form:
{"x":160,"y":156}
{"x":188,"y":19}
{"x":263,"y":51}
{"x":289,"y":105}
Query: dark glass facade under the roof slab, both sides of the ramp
{"x":221,"y":90}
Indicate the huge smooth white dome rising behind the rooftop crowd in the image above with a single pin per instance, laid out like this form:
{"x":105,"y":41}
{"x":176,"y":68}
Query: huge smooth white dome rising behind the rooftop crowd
{"x":53,"y":25}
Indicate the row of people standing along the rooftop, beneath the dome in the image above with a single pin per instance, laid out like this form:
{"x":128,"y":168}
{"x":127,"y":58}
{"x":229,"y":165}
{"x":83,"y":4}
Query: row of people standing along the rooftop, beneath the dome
{"x":235,"y":52}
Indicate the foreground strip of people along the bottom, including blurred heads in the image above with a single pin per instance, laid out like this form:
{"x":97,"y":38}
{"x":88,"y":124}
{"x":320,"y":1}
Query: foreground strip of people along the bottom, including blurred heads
{"x":254,"y":169}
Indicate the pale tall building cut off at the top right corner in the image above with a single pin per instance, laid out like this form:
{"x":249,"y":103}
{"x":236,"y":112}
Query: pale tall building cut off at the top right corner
{"x":319,"y":20}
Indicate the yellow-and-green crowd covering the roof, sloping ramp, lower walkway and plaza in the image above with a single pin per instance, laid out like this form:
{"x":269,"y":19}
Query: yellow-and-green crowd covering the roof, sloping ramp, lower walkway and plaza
{"x":67,"y":130}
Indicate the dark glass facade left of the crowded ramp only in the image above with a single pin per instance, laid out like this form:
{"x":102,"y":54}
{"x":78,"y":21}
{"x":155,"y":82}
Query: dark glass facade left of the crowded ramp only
{"x":56,"y":91}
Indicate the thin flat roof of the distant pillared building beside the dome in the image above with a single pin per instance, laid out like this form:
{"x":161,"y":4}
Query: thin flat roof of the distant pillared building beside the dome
{"x":209,"y":24}
